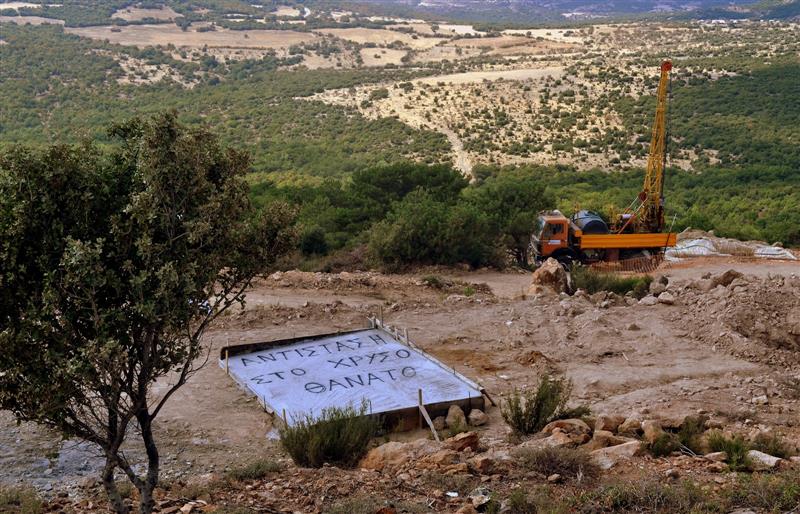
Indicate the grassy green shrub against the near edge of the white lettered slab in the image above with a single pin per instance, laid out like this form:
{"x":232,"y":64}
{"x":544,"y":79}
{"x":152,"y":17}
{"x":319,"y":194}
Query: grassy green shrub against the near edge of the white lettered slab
{"x":338,"y":436}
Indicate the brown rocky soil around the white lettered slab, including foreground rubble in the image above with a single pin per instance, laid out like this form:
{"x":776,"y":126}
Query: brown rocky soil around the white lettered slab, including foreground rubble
{"x":711,"y":342}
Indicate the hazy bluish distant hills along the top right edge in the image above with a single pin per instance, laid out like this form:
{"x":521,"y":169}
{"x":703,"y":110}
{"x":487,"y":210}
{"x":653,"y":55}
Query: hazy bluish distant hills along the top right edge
{"x":538,"y":11}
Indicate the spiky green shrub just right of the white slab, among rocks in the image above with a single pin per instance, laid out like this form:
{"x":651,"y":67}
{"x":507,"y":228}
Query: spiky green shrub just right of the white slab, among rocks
{"x":529,"y":411}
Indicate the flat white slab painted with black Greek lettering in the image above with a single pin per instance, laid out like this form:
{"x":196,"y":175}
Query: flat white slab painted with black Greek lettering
{"x":301,"y":376}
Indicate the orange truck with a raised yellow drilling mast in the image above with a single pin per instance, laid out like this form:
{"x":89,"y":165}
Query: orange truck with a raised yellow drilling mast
{"x":638,"y":232}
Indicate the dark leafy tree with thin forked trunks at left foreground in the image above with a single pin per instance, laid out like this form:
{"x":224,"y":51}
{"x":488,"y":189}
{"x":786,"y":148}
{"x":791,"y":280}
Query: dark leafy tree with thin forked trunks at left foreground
{"x":113,"y":263}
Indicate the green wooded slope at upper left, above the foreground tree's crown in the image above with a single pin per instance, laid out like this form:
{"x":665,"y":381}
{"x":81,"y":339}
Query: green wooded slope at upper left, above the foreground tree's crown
{"x":58,"y":87}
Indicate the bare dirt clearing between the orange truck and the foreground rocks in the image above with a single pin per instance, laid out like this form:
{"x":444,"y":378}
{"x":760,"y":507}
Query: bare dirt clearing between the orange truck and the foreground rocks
{"x":709,"y":351}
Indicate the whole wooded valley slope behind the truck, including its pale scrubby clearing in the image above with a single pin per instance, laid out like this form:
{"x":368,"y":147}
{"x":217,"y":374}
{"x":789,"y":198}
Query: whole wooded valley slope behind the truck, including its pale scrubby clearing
{"x":382,"y":187}
